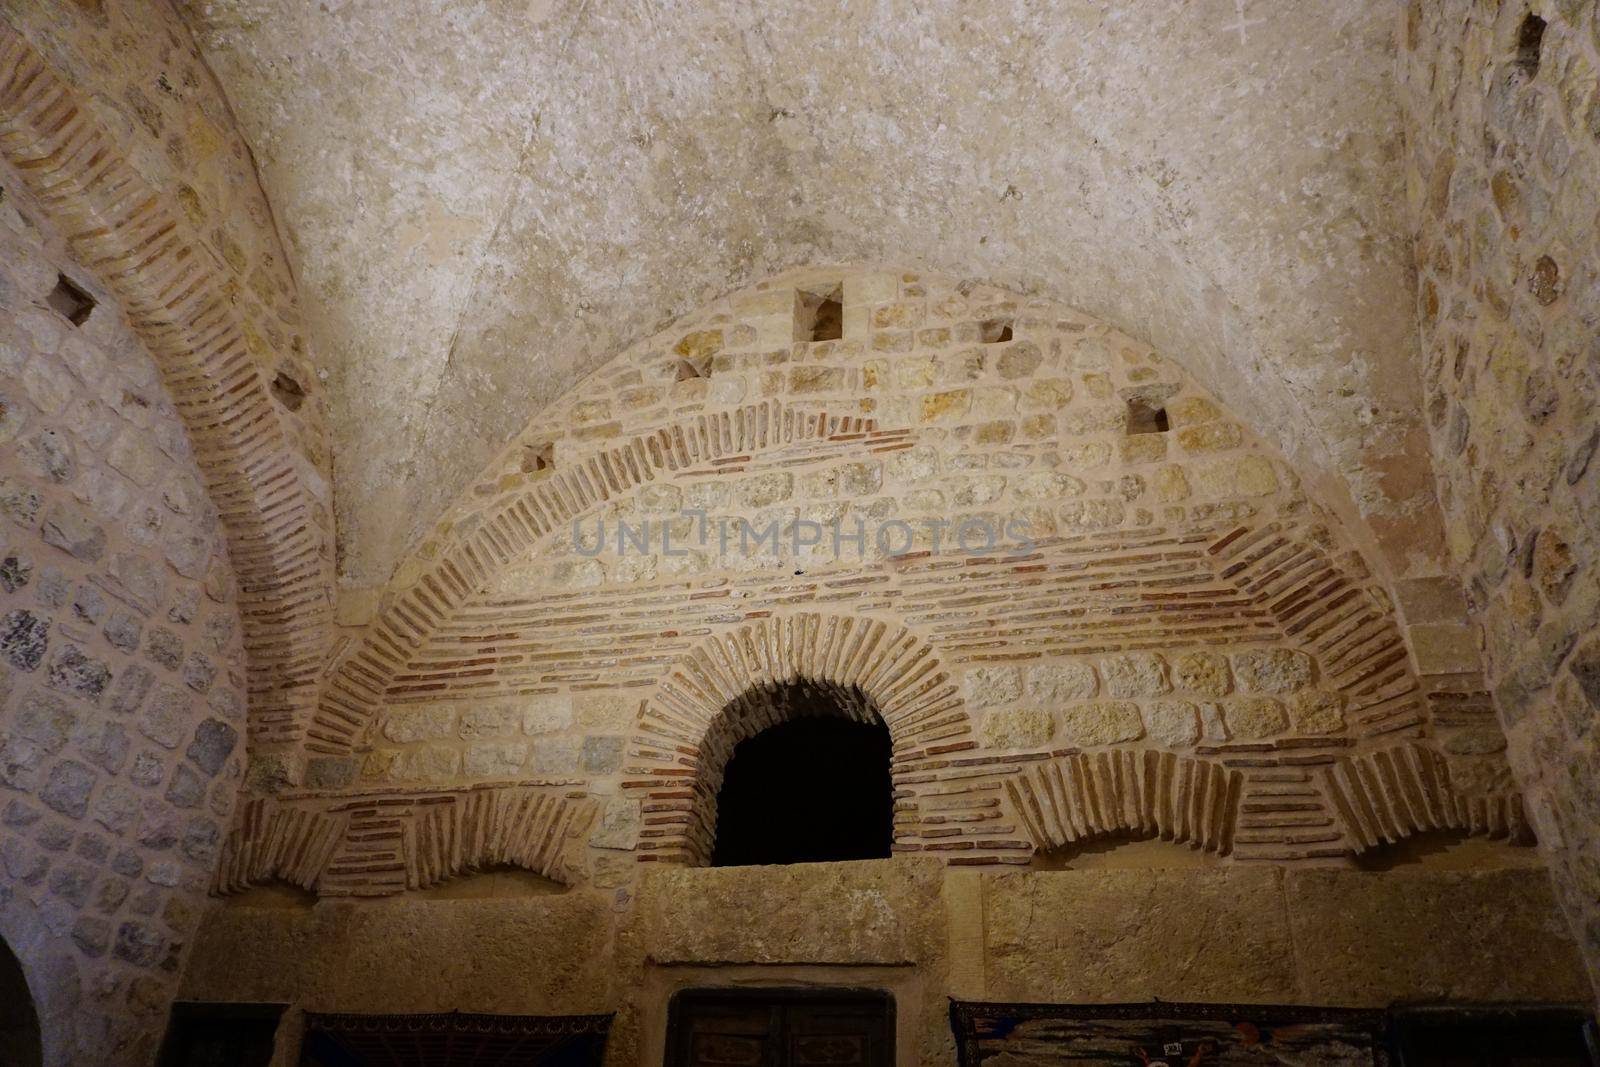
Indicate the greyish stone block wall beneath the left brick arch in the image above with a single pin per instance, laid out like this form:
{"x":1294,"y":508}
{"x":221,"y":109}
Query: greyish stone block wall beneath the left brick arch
{"x":122,"y":679}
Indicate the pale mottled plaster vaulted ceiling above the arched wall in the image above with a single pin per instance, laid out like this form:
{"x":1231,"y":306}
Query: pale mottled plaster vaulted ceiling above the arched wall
{"x":486,"y":199}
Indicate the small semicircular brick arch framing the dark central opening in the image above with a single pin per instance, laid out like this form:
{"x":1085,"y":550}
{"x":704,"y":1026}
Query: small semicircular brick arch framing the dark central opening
{"x":719,"y":693}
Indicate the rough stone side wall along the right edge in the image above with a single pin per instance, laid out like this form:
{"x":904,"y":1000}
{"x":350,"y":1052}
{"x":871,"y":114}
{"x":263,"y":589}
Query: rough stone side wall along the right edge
{"x":1505,"y":180}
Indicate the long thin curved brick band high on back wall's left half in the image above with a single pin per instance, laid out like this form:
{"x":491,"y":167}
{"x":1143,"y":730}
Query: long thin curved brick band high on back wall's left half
{"x":354,"y":695}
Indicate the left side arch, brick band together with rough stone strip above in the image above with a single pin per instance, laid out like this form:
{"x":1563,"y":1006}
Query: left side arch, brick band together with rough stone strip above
{"x":111,"y":119}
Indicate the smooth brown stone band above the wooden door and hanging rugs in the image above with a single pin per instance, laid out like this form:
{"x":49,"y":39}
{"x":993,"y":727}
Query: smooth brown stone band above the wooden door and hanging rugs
{"x":908,"y":925}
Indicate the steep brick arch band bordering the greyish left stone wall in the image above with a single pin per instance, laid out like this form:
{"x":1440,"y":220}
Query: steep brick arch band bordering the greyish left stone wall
{"x":215,"y":362}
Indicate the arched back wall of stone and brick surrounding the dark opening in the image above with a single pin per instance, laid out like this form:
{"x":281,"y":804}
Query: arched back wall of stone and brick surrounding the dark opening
{"x":1151,"y":629}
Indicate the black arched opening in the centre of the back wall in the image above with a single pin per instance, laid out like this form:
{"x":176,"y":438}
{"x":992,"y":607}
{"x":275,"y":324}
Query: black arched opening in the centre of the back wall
{"x":807,"y":791}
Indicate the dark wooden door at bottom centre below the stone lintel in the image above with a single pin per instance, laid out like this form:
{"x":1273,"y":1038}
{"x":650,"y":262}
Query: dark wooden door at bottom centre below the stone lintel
{"x":782,"y":1028}
